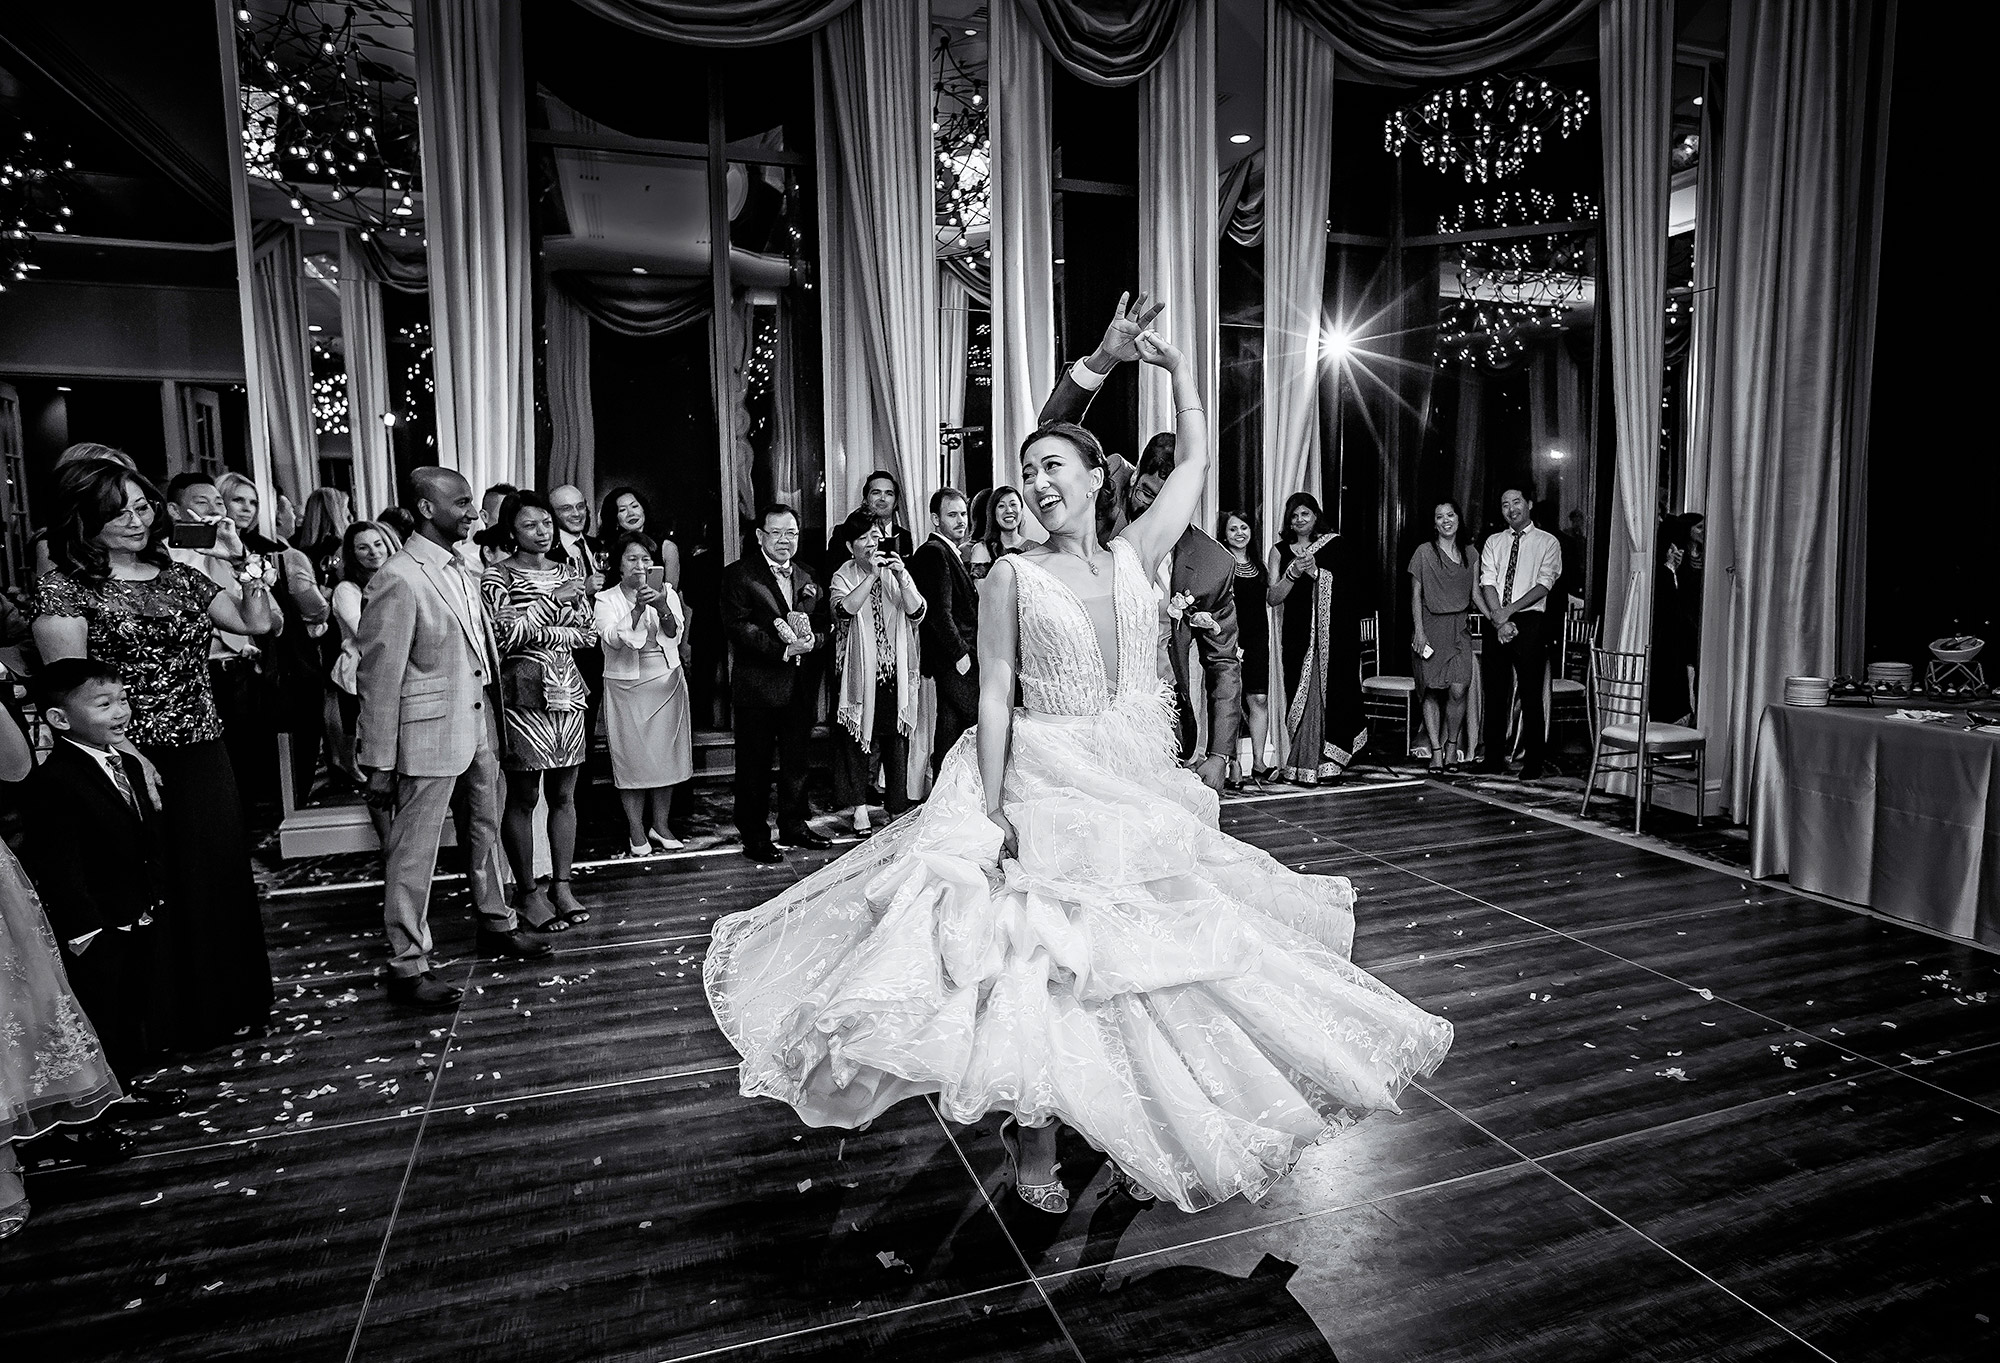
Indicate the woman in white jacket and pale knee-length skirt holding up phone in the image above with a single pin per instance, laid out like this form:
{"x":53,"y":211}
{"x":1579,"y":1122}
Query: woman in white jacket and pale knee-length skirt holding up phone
{"x":643,"y":627}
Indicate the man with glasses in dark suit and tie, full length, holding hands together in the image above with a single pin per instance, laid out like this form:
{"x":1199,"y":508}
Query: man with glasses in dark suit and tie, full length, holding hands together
{"x":779,"y":621}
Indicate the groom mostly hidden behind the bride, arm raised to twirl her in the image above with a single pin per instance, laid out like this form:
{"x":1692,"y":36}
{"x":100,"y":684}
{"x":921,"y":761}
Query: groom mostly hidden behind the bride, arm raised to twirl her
{"x":1197,"y":579}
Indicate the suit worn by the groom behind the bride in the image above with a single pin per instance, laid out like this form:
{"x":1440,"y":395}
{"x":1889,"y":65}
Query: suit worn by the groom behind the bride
{"x":1203,"y":571}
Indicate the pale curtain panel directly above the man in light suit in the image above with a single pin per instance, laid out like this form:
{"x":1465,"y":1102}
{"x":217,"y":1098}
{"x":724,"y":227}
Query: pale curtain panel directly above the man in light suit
{"x":469,"y":79}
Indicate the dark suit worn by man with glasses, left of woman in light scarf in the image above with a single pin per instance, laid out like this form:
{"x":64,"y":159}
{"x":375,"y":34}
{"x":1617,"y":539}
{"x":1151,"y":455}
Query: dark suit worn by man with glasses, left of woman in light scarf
{"x":773,"y":698}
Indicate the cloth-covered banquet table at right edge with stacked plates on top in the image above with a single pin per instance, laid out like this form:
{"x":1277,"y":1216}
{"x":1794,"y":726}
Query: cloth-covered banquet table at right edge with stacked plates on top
{"x":1901,"y":816}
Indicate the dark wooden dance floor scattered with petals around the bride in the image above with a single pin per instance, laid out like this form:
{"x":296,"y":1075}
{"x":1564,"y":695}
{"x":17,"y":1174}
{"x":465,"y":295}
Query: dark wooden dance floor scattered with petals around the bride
{"x":1687,"y":1118}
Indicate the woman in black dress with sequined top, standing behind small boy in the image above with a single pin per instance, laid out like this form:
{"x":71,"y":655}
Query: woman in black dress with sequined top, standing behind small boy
{"x":117,"y":597}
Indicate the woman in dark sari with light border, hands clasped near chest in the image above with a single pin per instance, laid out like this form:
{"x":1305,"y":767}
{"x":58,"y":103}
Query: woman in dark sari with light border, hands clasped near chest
{"x":1321,"y":647}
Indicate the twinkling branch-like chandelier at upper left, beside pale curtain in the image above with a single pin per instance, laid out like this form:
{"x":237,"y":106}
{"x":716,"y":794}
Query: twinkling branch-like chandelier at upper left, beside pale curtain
{"x":327,"y":119}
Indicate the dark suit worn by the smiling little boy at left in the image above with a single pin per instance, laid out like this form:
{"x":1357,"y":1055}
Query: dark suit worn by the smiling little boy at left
{"x":101,"y":866}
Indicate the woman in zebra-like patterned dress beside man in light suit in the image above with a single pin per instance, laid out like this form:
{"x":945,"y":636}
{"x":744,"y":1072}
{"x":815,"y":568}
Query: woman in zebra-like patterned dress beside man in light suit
{"x":541,"y":615}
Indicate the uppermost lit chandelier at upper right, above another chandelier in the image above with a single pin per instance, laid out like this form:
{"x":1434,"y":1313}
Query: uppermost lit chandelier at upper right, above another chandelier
{"x":1485,"y":131}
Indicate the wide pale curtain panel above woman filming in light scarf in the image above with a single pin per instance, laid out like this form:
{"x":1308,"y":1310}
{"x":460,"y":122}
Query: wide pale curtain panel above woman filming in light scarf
{"x":881,"y":307}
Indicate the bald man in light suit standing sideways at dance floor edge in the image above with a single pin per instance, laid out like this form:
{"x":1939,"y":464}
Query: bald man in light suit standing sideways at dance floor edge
{"x":429,"y":736}
